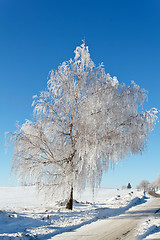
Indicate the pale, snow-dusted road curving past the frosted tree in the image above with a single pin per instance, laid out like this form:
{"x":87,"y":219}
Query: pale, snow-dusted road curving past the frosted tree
{"x":122,"y":227}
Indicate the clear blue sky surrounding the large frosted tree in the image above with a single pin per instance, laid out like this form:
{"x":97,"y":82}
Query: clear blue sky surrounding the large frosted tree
{"x":36,"y":36}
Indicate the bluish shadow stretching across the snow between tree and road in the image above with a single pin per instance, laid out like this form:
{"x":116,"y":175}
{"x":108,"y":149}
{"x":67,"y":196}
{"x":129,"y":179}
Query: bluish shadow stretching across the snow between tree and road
{"x":24,"y":222}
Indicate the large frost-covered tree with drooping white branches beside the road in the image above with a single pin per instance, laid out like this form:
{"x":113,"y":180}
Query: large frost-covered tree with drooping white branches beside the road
{"x":84,"y":121}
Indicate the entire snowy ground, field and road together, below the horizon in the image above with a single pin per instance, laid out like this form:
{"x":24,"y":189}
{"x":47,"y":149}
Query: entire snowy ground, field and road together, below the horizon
{"x":113,"y":215}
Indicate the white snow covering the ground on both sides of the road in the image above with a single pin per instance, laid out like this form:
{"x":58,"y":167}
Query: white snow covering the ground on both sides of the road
{"x":24,"y":216}
